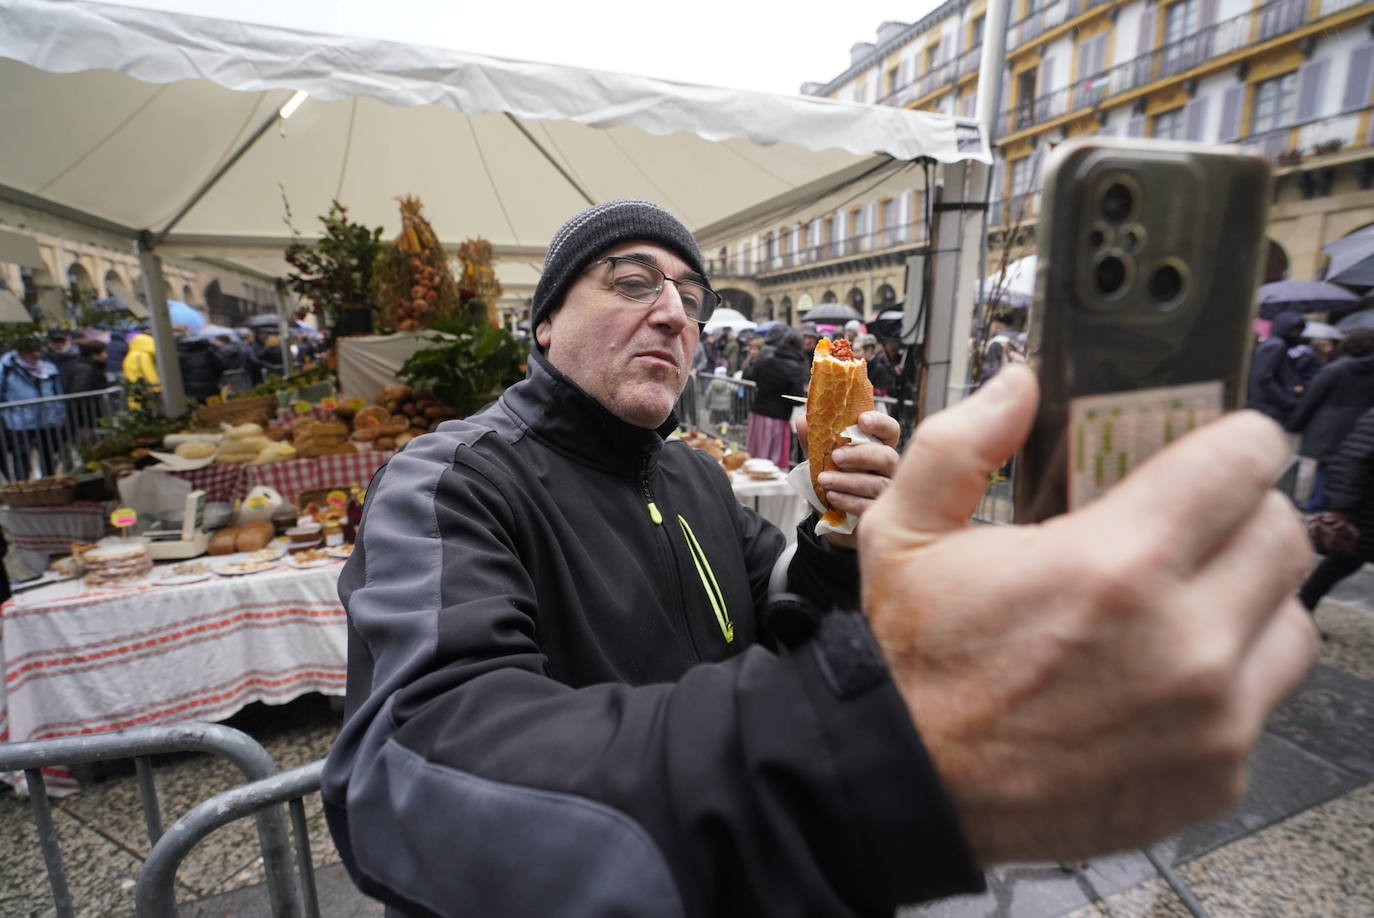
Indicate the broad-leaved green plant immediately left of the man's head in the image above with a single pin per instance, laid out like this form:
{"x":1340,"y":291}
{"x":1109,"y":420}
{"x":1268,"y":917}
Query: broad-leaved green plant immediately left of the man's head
{"x":466,"y":365}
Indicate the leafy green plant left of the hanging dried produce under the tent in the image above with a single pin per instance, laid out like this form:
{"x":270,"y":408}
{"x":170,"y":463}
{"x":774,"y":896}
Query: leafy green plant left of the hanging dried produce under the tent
{"x":336,"y":273}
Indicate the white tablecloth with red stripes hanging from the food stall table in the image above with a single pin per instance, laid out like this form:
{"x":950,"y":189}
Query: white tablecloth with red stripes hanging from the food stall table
{"x":80,"y":662}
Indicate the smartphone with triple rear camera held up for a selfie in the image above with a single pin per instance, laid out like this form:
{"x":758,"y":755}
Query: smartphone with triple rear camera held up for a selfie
{"x":1149,"y":255}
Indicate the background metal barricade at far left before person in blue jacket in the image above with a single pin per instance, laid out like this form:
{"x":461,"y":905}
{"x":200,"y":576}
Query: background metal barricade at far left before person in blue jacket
{"x":45,"y":436}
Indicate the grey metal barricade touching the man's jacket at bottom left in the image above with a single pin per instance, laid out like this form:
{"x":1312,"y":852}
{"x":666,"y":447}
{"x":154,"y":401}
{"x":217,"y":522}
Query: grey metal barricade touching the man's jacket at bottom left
{"x":156,"y":894}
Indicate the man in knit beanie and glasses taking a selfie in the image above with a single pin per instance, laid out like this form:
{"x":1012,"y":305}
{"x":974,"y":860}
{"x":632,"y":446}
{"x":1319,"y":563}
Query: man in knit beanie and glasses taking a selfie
{"x":571,"y":692}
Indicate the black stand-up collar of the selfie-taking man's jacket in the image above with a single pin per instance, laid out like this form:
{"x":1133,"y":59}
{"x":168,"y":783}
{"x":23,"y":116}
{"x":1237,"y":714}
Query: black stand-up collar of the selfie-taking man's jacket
{"x":556,"y":410}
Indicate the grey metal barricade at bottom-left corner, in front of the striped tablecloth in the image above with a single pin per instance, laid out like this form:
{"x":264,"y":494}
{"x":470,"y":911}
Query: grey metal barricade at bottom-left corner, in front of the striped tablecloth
{"x":227,"y":743}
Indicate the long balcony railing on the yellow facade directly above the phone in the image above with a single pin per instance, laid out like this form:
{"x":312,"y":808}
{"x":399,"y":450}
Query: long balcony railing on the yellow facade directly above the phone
{"x":1250,"y":28}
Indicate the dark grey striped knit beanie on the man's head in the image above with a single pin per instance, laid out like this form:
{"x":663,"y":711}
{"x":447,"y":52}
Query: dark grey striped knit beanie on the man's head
{"x":594,"y":232}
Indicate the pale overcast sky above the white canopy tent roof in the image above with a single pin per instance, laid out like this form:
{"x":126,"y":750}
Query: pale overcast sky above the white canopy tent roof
{"x":745,"y":45}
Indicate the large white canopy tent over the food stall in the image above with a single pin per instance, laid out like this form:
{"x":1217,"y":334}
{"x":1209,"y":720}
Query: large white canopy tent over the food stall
{"x":170,"y":128}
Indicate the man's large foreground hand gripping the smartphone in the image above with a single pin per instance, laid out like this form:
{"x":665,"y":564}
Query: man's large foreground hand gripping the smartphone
{"x":1094,"y":682}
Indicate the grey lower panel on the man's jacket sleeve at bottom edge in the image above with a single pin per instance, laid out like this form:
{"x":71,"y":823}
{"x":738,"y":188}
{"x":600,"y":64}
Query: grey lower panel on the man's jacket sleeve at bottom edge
{"x":565,"y":840}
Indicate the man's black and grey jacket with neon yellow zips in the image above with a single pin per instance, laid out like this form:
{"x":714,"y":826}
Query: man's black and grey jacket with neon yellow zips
{"x":561,"y":702}
